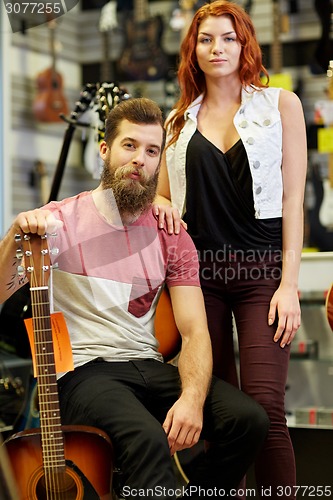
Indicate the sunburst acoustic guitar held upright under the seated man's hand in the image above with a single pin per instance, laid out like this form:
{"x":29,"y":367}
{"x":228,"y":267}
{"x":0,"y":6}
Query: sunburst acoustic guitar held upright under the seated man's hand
{"x":55,"y":462}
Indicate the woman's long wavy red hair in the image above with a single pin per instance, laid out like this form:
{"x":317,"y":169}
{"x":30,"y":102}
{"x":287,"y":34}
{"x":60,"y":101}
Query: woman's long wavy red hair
{"x":190,"y":77}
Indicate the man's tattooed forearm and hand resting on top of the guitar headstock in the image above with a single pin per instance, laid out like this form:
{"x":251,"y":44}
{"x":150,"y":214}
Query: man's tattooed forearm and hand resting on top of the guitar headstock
{"x":37,"y":221}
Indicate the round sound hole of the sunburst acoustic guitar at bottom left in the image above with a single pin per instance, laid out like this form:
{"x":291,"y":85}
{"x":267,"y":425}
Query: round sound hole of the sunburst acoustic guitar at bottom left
{"x":59,"y":486}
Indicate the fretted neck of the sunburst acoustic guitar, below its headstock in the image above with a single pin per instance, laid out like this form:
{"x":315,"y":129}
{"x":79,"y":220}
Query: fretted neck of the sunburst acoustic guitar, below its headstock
{"x":49,"y":410}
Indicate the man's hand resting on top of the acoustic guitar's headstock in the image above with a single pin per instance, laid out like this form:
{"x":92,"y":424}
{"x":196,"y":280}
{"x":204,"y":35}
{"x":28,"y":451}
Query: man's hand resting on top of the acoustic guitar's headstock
{"x":37,"y":221}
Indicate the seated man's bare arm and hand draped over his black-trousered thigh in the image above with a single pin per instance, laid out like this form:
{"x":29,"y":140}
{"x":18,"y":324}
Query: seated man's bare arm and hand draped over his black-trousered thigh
{"x":183,"y":423}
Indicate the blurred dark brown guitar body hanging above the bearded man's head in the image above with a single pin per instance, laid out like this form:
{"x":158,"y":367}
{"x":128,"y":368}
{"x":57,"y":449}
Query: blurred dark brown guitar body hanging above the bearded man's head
{"x":143,"y":58}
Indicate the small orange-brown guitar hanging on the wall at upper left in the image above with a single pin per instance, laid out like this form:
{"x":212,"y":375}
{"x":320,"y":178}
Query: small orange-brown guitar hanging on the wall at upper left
{"x":50,"y":101}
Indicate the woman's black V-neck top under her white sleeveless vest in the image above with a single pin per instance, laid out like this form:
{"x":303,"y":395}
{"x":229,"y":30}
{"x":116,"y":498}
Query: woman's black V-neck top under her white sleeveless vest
{"x":219,"y":200}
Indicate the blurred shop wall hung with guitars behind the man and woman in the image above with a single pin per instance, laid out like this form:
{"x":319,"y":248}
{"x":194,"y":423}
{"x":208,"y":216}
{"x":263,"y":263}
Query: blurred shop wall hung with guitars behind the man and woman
{"x":135,"y":43}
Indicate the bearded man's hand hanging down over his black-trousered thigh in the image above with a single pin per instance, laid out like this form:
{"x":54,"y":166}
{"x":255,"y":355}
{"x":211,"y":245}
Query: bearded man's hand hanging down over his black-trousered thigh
{"x":183,"y":425}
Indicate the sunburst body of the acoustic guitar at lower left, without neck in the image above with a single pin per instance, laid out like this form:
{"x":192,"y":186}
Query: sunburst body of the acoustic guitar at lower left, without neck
{"x":89,"y":465}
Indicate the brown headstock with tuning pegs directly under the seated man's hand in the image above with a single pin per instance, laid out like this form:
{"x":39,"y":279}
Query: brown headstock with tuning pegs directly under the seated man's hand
{"x":36,"y":254}
